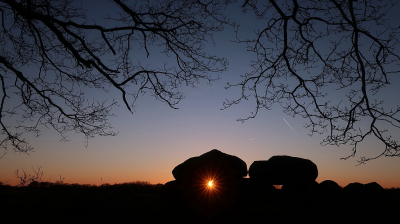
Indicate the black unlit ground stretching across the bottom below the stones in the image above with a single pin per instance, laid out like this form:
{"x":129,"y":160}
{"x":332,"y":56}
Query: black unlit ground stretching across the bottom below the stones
{"x":141,"y":203}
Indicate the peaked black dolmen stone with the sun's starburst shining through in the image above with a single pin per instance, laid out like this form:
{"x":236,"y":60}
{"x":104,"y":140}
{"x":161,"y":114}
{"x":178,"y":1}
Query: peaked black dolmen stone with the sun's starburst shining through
{"x":210,"y":182}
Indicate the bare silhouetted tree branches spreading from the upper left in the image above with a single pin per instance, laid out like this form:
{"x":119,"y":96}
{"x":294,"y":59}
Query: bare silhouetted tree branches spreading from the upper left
{"x":51,"y":50}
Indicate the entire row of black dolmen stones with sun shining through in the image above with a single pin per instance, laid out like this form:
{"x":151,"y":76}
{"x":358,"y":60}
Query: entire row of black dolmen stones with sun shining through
{"x":213,"y":184}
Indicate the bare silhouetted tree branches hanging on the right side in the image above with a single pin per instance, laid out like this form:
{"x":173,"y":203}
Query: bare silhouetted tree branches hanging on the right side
{"x":326,"y":61}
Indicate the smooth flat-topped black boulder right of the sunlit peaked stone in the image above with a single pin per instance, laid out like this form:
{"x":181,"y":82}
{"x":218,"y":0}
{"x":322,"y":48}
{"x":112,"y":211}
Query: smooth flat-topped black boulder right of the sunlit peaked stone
{"x":281,"y":170}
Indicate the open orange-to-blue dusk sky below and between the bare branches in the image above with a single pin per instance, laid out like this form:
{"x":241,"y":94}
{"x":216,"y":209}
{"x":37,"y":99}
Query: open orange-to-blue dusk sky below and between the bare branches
{"x":156,"y":138}
